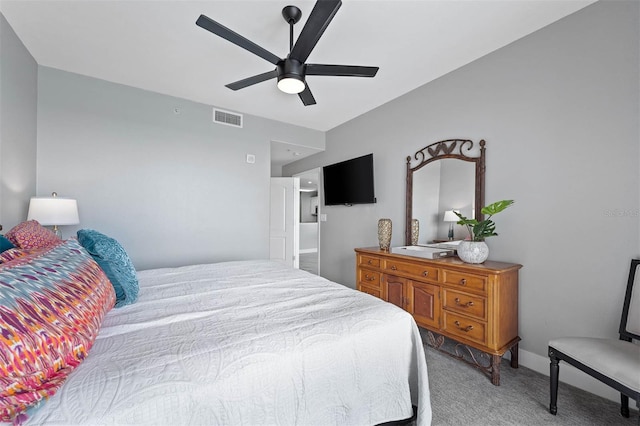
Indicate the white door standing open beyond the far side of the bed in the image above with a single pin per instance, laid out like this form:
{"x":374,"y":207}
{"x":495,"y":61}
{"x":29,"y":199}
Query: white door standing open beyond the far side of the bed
{"x":284,"y":219}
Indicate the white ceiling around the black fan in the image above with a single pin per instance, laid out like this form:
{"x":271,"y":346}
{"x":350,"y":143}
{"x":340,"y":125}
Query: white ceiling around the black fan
{"x":155,"y":45}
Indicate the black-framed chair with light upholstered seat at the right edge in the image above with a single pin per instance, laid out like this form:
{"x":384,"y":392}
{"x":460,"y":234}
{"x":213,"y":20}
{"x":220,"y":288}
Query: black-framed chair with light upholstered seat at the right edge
{"x":615,"y":362}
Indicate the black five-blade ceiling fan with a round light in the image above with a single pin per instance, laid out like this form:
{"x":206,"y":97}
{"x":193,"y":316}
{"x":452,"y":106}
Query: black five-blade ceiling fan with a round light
{"x":291,"y":71}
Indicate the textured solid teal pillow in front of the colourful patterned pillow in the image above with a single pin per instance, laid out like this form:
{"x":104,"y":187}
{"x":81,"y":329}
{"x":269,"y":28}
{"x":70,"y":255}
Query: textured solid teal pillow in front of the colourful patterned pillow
{"x":115,"y":263}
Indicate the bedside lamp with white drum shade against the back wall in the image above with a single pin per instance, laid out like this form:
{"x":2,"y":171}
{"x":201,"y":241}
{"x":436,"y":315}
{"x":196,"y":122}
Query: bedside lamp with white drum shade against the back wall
{"x":54,"y":211}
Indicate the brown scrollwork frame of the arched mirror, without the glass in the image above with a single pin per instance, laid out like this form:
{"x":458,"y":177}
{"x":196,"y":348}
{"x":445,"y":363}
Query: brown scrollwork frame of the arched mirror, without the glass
{"x":458,"y":149}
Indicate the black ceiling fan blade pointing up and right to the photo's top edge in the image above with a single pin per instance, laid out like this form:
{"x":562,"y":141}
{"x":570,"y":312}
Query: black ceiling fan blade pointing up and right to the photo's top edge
{"x":320,"y":17}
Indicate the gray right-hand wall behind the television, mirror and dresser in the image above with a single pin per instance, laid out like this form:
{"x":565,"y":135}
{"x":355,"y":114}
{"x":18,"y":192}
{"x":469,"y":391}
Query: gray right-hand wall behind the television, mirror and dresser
{"x":559,"y":110}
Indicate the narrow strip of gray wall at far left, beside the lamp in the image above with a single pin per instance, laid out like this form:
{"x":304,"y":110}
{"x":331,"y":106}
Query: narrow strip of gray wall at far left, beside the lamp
{"x":18,"y":116}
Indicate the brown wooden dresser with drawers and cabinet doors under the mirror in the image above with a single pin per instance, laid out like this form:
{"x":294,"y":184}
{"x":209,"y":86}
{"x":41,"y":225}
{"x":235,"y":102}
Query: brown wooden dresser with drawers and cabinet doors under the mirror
{"x":474,"y":305}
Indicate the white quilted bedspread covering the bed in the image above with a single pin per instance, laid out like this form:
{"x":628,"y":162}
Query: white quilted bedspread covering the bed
{"x":247,"y":343}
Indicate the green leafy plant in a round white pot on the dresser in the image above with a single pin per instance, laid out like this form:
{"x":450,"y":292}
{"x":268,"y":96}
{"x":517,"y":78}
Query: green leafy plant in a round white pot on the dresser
{"x":475,"y":250}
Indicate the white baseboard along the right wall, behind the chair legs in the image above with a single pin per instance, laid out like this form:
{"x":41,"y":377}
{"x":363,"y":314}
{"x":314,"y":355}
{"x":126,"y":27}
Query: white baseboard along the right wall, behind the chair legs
{"x":568,"y":374}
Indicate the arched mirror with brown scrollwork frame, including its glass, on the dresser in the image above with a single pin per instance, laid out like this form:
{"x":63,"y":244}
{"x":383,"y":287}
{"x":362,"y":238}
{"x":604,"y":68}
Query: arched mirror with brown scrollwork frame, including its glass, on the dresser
{"x":446,"y":175}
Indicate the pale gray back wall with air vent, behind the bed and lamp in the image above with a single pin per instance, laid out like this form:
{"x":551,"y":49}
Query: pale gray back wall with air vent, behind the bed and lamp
{"x":173,"y":188}
